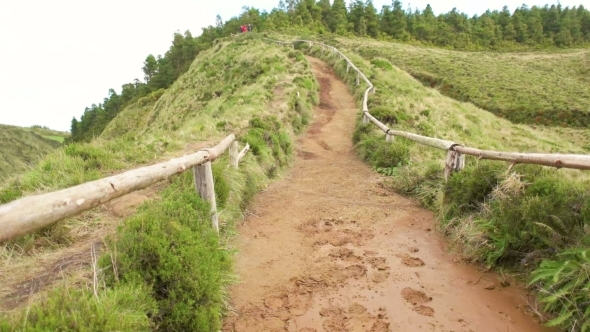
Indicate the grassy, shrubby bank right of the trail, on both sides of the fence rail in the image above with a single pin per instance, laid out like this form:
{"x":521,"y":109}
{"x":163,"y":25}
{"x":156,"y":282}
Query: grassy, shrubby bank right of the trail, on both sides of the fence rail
{"x":530,"y":220}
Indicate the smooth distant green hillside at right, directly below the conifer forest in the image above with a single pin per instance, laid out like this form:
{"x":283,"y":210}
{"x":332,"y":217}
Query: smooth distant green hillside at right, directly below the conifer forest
{"x":534,"y":88}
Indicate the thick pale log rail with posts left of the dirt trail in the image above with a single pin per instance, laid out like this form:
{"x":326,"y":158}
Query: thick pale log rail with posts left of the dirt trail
{"x":31,"y":213}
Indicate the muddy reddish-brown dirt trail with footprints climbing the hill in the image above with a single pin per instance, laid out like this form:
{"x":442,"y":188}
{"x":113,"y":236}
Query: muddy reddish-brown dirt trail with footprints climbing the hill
{"x":327,"y":249}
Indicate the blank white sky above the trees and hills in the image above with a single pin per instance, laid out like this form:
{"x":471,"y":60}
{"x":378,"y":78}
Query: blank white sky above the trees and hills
{"x":61,"y":56}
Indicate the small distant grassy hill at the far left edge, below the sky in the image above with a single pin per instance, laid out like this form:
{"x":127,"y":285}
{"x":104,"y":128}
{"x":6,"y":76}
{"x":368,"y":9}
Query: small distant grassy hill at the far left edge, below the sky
{"x":22,"y":147}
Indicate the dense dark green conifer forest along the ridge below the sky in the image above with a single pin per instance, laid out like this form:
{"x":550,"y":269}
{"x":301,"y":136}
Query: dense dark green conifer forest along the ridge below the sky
{"x":536,"y":27}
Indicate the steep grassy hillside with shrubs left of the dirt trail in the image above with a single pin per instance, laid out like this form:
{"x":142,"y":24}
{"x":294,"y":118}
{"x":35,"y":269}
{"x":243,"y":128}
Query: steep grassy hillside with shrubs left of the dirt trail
{"x":245,"y":87}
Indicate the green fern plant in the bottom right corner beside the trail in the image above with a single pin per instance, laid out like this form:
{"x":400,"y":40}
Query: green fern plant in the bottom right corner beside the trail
{"x":564,"y":288}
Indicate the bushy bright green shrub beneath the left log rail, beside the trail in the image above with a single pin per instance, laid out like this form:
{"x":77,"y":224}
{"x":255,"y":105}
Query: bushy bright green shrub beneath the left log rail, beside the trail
{"x":171,"y":248}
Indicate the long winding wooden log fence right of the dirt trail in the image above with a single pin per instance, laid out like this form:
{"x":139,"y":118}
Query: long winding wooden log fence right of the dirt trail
{"x":455,"y":152}
